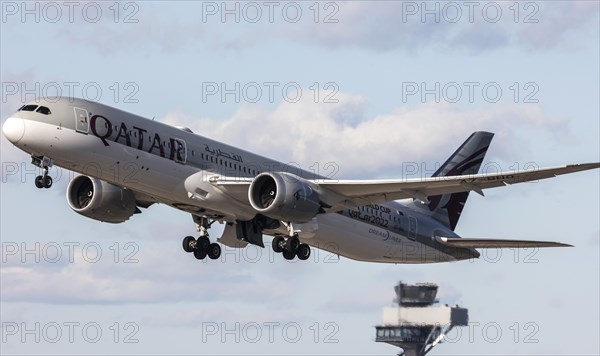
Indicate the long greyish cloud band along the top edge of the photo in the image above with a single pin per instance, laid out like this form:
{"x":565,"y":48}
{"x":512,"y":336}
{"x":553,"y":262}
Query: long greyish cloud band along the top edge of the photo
{"x":380,"y":26}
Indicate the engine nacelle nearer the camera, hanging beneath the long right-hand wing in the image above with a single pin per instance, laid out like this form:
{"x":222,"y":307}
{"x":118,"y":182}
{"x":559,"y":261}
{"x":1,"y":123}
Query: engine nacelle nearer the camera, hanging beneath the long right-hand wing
{"x":285,"y":196}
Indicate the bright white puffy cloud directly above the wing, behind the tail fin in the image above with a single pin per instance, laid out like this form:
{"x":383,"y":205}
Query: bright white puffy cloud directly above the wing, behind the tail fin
{"x":307,"y":133}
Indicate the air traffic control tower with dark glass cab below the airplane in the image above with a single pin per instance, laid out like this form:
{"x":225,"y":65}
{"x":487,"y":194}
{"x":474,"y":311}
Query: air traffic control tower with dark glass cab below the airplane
{"x":416,"y":324}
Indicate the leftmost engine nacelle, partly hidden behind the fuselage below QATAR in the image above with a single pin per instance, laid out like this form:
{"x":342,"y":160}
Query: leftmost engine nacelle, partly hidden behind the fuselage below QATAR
{"x":99,"y":200}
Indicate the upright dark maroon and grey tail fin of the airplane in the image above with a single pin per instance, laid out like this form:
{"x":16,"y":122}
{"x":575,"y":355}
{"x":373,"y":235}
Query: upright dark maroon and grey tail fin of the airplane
{"x":466,"y":160}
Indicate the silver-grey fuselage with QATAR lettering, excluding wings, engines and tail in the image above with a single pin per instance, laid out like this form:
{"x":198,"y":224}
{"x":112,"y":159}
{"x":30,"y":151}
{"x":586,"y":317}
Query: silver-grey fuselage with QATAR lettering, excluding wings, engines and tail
{"x":124,"y":149}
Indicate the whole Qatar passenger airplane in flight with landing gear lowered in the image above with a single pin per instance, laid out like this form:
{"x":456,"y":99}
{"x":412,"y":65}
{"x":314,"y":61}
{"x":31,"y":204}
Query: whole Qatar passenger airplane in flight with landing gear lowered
{"x":128,"y":162}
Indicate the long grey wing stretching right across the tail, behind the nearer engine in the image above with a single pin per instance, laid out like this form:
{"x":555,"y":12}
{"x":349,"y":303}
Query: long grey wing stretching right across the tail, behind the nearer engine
{"x":343,"y":193}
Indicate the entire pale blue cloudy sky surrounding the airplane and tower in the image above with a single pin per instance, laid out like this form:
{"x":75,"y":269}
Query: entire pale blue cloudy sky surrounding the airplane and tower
{"x":356,"y":89}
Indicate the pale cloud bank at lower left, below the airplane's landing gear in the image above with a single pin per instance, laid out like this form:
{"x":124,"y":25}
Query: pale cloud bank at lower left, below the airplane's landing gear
{"x":154,"y":278}
